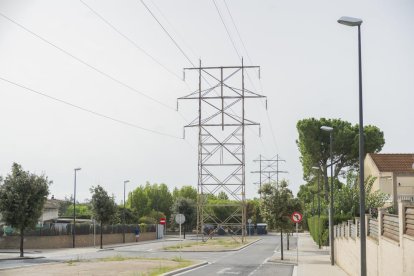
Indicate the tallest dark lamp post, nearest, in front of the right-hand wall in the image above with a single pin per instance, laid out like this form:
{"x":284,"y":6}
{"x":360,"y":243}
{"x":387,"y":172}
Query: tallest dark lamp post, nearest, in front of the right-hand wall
{"x":353,"y":22}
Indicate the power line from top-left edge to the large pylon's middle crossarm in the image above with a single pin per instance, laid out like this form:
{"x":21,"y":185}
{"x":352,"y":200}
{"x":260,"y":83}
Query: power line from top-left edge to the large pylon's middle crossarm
{"x":86,"y":64}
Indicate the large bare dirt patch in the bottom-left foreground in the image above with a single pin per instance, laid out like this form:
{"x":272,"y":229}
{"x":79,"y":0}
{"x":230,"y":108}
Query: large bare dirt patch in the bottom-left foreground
{"x":102,"y":267}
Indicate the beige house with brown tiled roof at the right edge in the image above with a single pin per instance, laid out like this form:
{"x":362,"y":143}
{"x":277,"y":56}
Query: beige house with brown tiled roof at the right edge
{"x":394,"y":174}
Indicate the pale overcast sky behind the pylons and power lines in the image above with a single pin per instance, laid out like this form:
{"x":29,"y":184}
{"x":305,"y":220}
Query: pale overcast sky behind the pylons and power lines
{"x":308,"y":69}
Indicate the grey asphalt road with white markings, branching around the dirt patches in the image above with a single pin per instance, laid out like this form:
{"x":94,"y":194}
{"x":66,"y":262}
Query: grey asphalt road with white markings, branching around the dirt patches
{"x":252,"y":260}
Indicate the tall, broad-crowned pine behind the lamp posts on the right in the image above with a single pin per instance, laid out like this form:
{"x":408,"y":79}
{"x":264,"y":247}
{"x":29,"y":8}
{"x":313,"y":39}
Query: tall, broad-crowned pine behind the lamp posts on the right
{"x":314,"y":147}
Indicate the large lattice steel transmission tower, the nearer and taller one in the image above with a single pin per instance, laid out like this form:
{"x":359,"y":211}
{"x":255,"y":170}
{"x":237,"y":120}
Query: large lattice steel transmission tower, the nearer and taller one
{"x":221,"y":146}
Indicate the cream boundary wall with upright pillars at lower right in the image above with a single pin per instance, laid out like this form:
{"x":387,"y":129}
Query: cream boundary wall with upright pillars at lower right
{"x":384,"y":256}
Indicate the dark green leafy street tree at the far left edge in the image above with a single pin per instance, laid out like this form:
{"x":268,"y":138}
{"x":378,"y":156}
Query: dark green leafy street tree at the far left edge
{"x":22,"y":197}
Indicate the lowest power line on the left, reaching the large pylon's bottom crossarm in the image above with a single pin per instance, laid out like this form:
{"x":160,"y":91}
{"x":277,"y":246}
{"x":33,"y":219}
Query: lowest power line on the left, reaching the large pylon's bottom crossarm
{"x":88,"y":110}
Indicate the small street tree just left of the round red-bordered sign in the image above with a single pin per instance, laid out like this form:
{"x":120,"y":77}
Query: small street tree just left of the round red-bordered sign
{"x":278,"y":204}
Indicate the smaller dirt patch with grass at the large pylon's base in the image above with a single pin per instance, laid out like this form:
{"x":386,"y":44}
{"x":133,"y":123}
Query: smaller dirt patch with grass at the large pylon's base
{"x":215,"y":244}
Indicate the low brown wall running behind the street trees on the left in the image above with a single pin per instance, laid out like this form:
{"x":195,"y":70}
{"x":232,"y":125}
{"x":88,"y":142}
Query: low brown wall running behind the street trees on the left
{"x":65,"y":241}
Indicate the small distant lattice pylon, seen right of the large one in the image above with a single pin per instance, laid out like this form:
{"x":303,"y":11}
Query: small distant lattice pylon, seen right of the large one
{"x":268,"y":170}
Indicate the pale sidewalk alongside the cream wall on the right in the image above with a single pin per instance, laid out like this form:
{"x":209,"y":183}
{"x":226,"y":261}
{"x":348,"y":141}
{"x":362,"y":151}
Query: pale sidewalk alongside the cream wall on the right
{"x":312,"y":260}
